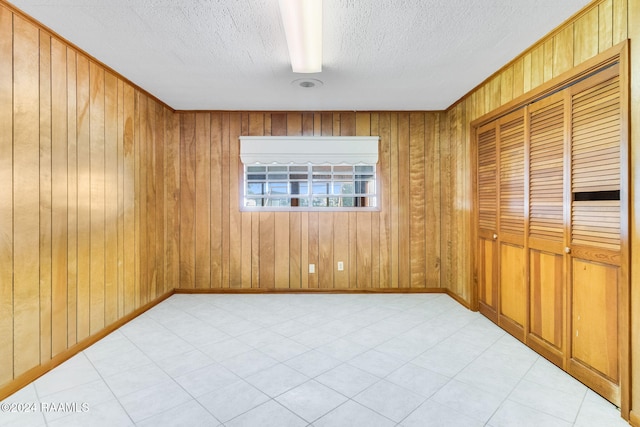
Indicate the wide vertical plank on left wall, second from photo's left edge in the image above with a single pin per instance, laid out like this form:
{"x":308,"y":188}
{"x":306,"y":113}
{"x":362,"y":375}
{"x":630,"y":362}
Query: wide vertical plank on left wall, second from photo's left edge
{"x":26,"y":194}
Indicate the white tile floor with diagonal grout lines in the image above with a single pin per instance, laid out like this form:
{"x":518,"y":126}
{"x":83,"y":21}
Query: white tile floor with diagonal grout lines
{"x":310,"y":360}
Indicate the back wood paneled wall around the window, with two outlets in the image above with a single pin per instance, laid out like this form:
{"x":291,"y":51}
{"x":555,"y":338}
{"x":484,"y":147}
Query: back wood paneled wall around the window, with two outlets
{"x":222,"y":247}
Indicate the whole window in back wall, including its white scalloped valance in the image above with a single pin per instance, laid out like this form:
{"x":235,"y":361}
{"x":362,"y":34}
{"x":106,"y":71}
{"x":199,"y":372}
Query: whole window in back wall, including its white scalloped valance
{"x":309,"y":173}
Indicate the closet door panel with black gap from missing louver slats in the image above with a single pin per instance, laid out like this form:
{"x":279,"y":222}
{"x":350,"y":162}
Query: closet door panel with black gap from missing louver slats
{"x":595,"y":231}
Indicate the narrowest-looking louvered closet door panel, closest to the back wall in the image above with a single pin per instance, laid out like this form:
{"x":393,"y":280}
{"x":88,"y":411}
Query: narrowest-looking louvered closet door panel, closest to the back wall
{"x":487,"y":221}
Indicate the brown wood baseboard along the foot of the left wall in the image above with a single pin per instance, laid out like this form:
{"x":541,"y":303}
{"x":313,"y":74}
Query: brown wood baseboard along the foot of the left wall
{"x":35,"y":373}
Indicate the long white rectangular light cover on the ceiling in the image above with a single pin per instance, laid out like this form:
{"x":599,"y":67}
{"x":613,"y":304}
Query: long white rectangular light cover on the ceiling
{"x":302,"y":20}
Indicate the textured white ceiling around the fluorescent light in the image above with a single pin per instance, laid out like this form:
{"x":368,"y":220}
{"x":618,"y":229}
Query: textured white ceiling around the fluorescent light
{"x":232,"y":54}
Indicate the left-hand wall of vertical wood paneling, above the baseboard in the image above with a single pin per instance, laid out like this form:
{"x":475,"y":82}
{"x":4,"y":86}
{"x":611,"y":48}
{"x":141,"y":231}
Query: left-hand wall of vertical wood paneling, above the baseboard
{"x":88,"y":216}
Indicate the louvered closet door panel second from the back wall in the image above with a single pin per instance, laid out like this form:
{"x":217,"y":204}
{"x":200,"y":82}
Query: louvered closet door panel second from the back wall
{"x":512,"y":285}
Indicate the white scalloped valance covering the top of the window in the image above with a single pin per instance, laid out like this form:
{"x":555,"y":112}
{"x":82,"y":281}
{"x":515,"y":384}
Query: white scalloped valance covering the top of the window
{"x":350,"y":150}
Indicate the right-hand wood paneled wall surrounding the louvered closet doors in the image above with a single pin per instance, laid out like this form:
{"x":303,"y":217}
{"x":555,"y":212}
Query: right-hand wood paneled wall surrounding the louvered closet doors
{"x":598,"y":27}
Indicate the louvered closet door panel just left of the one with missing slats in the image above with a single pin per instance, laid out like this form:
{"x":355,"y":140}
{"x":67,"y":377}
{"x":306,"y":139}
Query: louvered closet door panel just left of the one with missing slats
{"x":546,"y":232}
